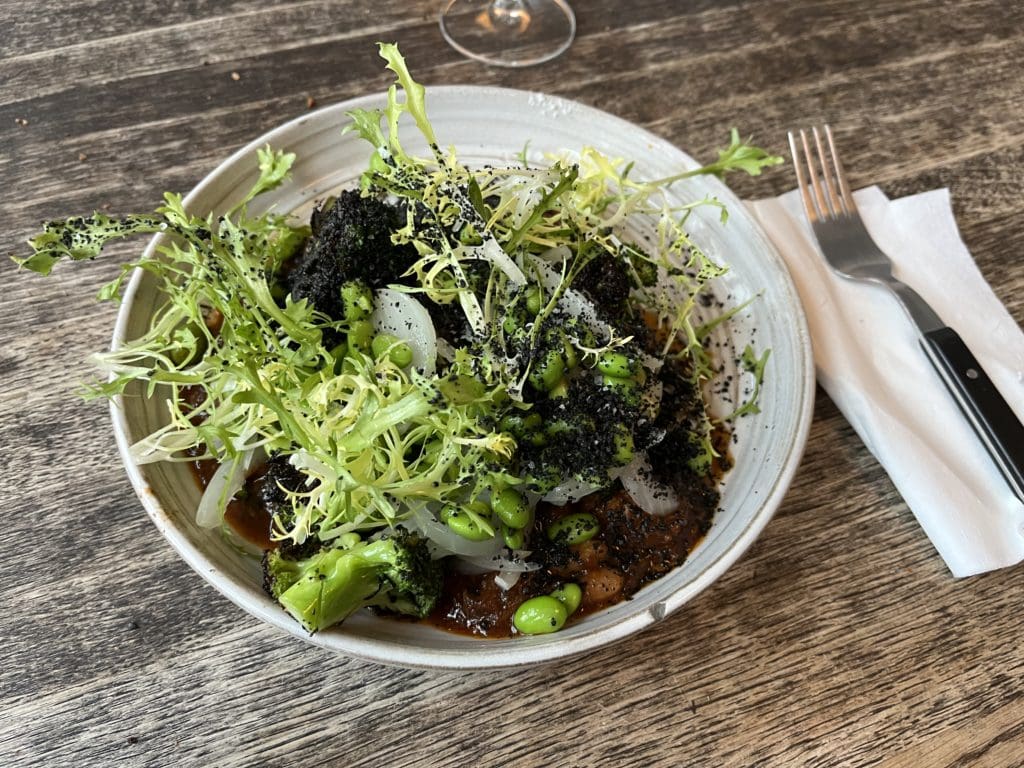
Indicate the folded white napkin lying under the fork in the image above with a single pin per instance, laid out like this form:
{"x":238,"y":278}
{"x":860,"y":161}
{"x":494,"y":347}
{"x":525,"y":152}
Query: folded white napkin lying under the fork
{"x":870,"y":362}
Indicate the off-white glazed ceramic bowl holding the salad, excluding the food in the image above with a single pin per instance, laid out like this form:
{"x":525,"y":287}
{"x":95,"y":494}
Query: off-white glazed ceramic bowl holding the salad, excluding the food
{"x":491,"y":125}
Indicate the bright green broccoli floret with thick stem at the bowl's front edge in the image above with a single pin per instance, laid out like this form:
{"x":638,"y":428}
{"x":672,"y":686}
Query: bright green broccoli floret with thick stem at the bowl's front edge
{"x":395,"y":573}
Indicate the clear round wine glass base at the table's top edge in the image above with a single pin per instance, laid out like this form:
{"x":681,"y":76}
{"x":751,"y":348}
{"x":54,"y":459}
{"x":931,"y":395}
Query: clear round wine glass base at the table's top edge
{"x":508,"y":34}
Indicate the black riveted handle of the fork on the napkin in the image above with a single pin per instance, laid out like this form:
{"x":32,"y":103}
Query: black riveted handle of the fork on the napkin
{"x":992,"y":417}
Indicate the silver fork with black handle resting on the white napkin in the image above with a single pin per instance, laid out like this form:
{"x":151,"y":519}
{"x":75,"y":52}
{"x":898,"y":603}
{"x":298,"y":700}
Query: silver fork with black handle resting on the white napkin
{"x":849,"y":249}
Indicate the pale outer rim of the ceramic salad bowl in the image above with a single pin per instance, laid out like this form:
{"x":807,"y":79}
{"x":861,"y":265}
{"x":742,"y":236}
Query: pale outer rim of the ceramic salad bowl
{"x":526,"y":651}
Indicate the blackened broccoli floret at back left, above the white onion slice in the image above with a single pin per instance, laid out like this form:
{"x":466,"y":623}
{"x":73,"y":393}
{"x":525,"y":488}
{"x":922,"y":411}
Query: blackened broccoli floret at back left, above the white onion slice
{"x":352,"y":241}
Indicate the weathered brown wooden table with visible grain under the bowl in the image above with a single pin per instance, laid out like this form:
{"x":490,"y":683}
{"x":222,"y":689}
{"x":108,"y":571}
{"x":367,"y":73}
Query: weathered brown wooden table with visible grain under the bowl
{"x":840,"y":639}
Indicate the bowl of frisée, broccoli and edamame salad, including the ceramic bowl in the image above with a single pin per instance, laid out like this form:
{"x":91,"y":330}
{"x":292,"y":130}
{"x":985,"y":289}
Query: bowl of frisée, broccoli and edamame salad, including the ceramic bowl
{"x":456,"y":378}
